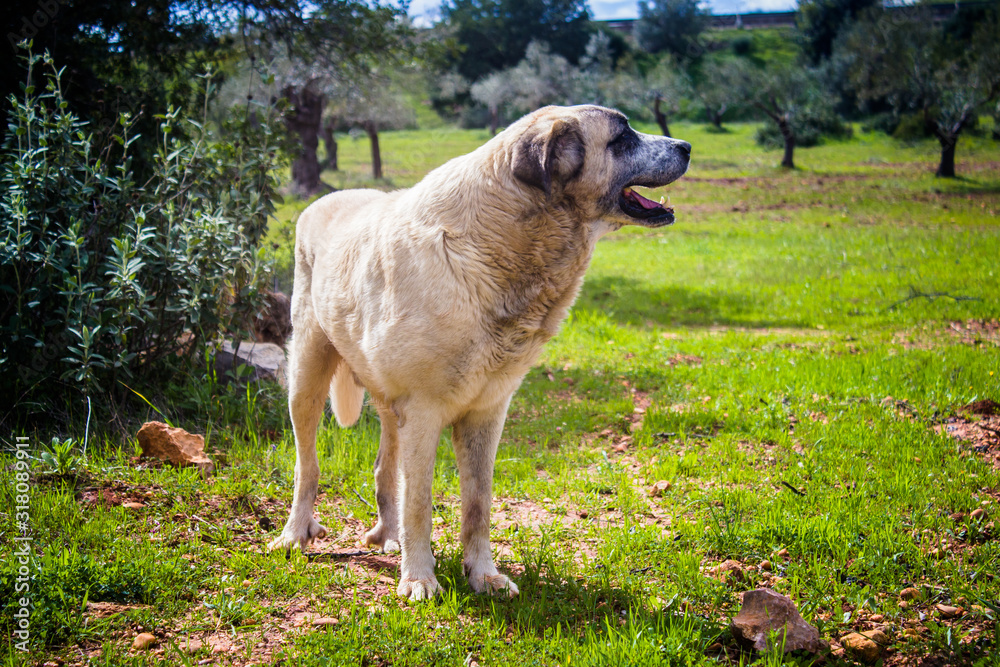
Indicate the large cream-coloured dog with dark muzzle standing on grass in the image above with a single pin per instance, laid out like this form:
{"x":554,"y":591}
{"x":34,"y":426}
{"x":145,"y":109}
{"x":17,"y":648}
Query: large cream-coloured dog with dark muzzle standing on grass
{"x":438,"y":299}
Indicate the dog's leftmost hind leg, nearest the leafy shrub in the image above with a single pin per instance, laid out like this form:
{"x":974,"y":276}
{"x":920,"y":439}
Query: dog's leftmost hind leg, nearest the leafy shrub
{"x":312,"y":360}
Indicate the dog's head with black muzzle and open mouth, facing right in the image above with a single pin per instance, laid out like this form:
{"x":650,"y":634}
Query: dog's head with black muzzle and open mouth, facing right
{"x":589,"y":157}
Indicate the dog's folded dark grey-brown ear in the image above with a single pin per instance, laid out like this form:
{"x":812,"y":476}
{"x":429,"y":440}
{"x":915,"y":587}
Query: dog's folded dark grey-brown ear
{"x":547,"y":155}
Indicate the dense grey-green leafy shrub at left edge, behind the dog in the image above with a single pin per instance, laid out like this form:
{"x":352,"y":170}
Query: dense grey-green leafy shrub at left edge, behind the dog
{"x":109,"y":281}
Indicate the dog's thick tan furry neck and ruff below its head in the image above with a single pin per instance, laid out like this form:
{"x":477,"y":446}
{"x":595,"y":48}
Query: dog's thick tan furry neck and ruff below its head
{"x":524,"y":255}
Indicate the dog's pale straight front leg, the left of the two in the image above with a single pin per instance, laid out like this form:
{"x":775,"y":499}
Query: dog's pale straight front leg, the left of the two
{"x":417,"y":443}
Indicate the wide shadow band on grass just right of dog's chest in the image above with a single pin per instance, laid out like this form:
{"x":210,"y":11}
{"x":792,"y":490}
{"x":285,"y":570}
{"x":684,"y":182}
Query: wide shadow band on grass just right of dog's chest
{"x":633,"y":303}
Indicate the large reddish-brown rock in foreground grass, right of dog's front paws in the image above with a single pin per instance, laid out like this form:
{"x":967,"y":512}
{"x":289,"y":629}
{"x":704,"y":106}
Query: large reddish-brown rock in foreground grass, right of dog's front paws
{"x":764,"y":612}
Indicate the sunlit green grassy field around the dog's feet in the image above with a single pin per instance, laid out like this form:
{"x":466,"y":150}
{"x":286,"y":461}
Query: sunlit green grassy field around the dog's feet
{"x":759,"y":383}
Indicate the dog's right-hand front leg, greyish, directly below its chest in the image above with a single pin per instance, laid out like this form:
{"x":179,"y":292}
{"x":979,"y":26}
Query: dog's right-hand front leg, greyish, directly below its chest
{"x":475,"y":437}
